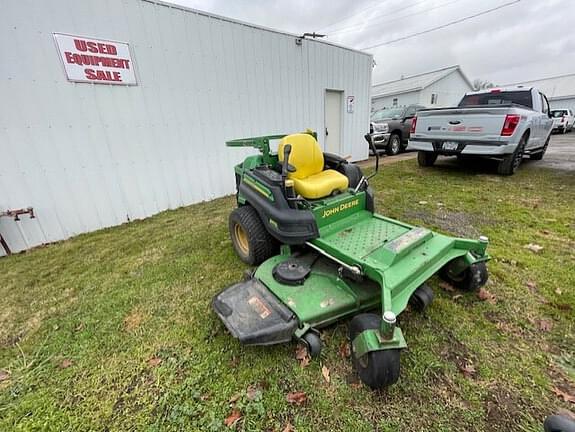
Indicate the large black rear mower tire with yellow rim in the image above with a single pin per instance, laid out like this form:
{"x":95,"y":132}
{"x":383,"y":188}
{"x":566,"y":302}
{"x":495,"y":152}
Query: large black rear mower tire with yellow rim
{"x":251,"y":241}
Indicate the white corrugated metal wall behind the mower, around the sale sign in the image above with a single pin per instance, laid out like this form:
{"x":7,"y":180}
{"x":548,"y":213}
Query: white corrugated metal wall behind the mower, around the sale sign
{"x":89,"y":156}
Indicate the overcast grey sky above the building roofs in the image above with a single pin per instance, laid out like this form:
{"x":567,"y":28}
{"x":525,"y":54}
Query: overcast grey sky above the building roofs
{"x":528,"y":40}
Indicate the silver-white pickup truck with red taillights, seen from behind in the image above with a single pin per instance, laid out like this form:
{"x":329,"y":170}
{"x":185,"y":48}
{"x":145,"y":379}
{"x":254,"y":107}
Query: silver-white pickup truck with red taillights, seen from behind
{"x":502,"y":123}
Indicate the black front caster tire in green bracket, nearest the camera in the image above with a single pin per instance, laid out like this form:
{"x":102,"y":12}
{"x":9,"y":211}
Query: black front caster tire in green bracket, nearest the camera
{"x":376,"y":369}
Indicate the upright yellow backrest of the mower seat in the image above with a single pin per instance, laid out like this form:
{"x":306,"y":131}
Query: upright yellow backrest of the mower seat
{"x":305,"y":156}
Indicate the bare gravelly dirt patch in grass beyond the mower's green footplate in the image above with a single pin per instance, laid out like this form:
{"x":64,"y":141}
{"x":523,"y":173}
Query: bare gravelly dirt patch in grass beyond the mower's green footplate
{"x":457,"y":223}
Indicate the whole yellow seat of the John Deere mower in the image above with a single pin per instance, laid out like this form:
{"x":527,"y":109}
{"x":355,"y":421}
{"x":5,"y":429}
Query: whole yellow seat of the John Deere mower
{"x":310,"y":179}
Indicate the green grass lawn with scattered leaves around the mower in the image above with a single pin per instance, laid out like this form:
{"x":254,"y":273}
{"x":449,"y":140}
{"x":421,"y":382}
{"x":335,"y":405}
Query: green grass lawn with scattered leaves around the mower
{"x":114,"y":331}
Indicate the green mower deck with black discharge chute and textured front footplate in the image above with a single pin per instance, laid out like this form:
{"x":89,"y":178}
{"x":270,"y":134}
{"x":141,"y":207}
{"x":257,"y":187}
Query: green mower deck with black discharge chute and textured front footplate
{"x":401,"y":257}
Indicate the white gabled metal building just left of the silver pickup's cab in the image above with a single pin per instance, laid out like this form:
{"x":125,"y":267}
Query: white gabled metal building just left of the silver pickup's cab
{"x":438,"y":88}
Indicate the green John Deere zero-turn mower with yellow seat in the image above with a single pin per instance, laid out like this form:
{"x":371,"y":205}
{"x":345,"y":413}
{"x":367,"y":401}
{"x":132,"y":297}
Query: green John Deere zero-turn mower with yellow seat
{"x":307,"y":219}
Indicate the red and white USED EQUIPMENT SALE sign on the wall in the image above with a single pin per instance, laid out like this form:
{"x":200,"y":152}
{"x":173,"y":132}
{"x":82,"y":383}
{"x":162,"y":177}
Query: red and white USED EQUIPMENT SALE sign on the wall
{"x":96,"y":60}
